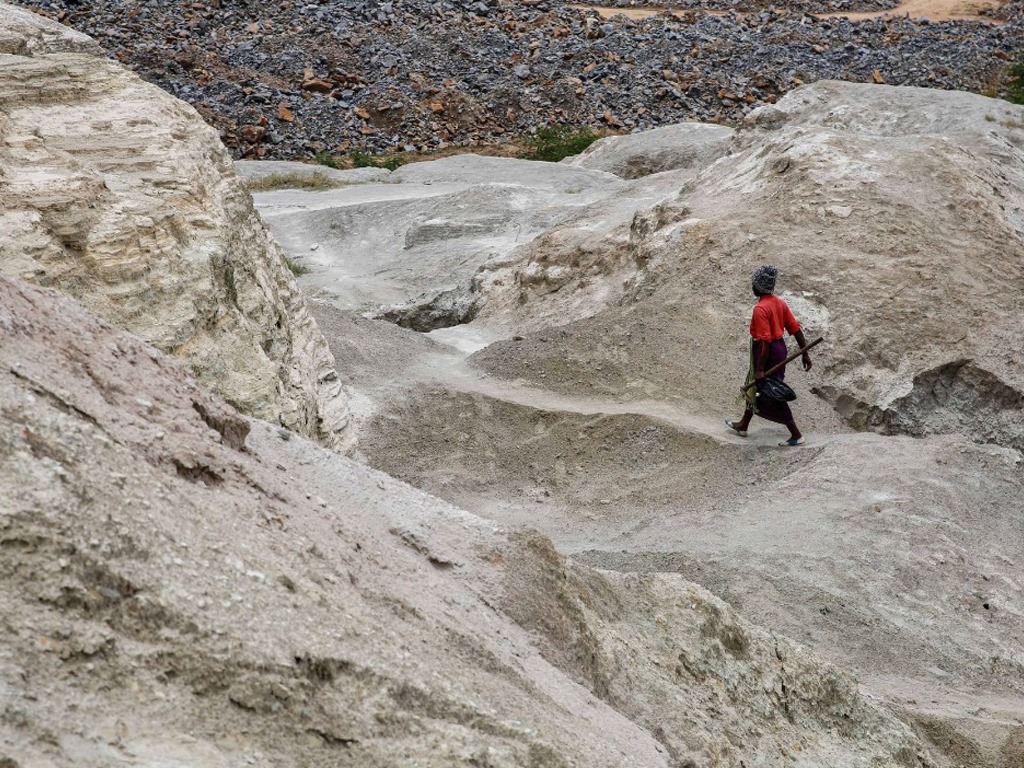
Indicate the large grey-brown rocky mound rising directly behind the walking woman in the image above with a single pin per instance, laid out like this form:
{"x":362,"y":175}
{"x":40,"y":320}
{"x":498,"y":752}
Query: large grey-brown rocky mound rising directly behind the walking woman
{"x":894,"y":217}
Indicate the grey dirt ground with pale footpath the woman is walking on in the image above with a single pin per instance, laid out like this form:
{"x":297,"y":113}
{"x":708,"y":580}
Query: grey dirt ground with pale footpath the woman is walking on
{"x":797,"y":540}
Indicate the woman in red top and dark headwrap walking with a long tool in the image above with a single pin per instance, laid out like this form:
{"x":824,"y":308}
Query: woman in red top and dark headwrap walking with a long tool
{"x":771,"y":319}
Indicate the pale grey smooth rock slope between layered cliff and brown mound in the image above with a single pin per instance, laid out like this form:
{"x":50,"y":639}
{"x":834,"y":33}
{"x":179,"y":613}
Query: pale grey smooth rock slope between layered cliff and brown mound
{"x":412,"y":245}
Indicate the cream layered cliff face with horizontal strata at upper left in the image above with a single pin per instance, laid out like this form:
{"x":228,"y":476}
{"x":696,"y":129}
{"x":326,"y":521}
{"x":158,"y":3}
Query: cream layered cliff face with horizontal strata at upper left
{"x":120,"y":196}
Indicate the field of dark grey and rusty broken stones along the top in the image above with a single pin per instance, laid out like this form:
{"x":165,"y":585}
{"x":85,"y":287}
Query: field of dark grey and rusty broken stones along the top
{"x":292,"y":80}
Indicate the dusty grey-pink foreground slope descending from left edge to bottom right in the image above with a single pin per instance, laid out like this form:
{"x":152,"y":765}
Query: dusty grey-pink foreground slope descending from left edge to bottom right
{"x":182,"y":584}
